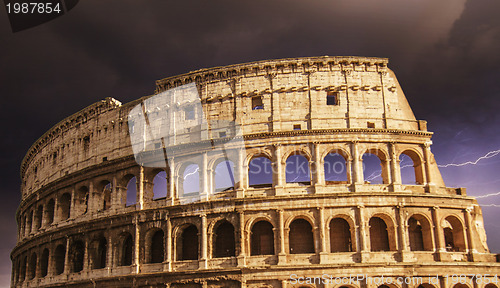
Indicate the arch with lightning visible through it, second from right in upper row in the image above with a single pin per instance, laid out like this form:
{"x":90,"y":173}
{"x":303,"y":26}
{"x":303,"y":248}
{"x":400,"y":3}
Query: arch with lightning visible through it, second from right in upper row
{"x":371,"y":173}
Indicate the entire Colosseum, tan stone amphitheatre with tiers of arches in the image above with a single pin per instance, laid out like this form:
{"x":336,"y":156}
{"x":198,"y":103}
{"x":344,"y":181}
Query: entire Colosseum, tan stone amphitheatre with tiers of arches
{"x":249,"y":175}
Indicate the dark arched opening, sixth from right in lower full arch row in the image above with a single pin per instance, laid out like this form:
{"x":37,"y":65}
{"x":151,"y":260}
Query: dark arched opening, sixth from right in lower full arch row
{"x":262,"y":239}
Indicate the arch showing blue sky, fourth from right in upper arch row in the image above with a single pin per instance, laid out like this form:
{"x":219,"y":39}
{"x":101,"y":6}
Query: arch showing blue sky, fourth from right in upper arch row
{"x":297,"y":167}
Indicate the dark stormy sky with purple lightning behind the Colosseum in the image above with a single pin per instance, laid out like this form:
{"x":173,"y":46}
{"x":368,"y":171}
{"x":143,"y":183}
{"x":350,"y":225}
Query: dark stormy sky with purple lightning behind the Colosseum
{"x":445,"y":54}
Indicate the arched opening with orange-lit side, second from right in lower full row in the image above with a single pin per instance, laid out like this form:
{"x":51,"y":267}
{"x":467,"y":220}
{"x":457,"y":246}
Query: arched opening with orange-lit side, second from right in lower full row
{"x":420,"y":233}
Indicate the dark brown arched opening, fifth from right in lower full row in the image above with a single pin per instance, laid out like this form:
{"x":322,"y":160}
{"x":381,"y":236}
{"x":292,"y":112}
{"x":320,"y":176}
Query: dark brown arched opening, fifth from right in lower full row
{"x":301,"y":238}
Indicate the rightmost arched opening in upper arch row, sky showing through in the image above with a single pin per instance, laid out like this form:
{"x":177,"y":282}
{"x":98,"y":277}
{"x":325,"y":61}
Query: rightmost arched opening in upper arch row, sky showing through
{"x":410,"y":166}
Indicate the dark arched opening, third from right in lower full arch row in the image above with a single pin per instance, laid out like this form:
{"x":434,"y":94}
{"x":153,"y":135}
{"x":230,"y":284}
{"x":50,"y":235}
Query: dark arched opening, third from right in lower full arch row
{"x":381,"y":227}
